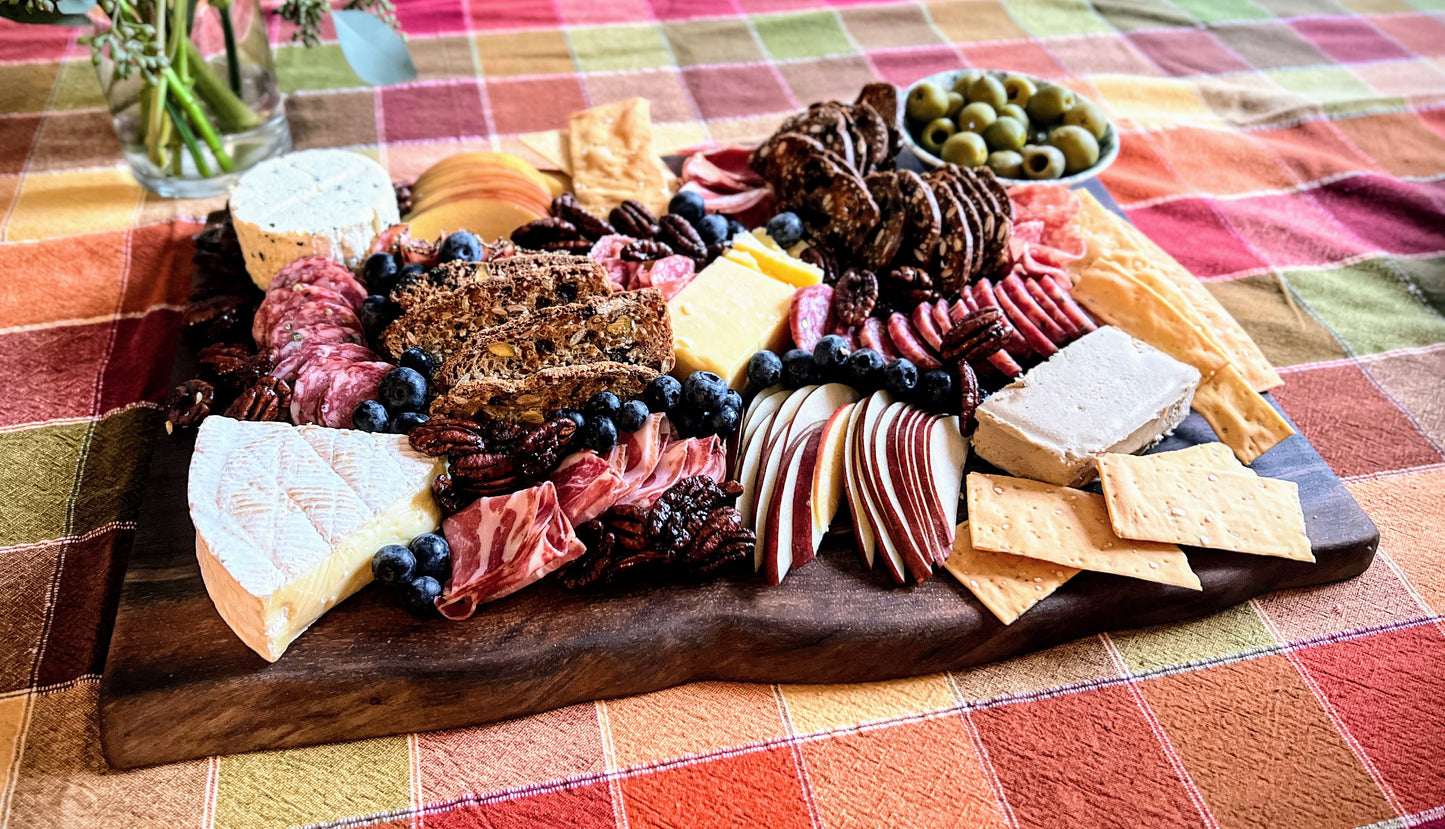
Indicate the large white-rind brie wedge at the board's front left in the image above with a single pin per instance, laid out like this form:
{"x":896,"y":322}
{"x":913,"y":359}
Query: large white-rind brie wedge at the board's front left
{"x":287,"y":519}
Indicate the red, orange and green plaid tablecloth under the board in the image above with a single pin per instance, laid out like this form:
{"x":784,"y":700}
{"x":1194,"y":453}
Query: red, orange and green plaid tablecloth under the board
{"x":1291,"y":154}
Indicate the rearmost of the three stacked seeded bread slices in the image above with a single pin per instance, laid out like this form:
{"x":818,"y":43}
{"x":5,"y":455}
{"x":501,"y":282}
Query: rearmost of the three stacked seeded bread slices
{"x":446,"y":323}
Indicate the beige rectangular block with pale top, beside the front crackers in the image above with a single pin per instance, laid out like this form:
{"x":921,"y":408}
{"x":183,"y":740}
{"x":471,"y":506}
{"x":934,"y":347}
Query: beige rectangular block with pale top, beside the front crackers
{"x":1105,"y":392}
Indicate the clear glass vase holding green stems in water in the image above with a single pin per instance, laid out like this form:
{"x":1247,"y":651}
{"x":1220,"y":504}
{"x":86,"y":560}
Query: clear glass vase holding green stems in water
{"x":191,"y":128}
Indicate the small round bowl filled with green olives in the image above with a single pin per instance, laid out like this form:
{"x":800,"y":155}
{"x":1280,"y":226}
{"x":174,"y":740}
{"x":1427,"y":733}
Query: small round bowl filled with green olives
{"x":1019,"y":126}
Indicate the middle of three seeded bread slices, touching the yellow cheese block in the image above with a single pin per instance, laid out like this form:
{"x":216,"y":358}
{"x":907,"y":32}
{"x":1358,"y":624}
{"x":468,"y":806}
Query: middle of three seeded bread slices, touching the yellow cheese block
{"x":629,"y":327}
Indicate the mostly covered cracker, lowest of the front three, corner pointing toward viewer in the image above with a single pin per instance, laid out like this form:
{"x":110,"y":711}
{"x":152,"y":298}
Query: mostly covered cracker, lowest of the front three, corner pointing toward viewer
{"x":1005,"y":584}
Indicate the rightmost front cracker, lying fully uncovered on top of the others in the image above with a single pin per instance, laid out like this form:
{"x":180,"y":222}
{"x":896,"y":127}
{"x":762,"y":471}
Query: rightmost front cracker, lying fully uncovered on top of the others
{"x":1243,"y":513}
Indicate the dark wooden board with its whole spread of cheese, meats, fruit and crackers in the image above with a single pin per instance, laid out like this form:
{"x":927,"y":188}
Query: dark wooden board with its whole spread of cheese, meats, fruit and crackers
{"x":801,"y":414}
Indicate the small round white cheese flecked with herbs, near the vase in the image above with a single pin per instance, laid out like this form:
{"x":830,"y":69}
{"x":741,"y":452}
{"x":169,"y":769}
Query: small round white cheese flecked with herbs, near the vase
{"x":314,"y":203}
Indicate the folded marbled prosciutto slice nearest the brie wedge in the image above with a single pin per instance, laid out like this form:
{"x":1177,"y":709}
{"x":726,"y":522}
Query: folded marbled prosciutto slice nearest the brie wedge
{"x":502,"y":545}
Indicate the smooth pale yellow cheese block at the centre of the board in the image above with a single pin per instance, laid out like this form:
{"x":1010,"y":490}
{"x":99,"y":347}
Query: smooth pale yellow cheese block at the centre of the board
{"x":725,"y":317}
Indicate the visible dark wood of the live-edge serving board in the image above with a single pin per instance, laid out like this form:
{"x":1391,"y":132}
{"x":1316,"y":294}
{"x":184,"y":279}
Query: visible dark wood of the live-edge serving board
{"x":178,"y":684}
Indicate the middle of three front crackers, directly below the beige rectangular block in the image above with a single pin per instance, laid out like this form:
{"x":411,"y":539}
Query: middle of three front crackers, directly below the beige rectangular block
{"x":1066,"y":528}
